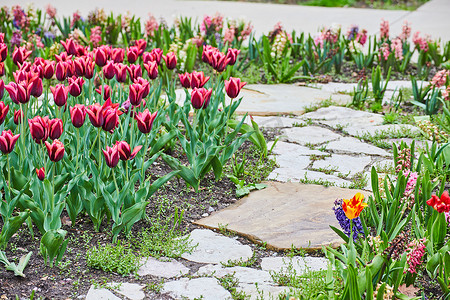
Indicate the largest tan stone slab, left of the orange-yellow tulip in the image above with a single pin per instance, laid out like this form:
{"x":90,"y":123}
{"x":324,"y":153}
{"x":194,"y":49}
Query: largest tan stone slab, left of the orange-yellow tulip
{"x":284,"y":214}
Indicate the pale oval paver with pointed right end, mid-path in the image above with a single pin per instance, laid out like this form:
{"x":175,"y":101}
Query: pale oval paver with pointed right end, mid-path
{"x":308,"y":135}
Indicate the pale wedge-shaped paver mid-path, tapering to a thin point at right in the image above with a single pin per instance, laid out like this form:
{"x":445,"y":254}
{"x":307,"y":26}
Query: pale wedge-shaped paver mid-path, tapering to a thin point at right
{"x":352,"y":145}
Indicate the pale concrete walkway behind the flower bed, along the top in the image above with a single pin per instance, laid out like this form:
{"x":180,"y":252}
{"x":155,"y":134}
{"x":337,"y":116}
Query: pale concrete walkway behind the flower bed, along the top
{"x":431,"y":18}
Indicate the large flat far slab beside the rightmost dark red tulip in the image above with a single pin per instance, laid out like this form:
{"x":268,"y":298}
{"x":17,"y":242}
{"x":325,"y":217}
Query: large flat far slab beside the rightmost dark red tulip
{"x":273,"y":99}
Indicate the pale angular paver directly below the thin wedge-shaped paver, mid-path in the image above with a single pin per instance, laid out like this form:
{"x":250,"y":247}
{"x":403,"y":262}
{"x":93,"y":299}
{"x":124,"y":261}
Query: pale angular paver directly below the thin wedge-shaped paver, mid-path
{"x":344,"y":164}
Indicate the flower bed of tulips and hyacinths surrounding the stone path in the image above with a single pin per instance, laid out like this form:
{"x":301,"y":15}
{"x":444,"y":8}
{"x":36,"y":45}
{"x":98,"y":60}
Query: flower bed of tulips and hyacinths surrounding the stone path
{"x":76,"y":180}
